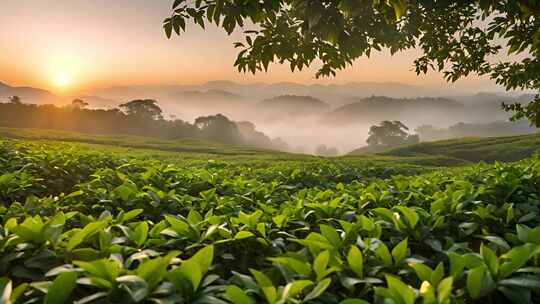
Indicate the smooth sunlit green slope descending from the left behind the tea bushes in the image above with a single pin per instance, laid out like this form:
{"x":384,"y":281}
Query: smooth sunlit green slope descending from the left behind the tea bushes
{"x":194,"y":150}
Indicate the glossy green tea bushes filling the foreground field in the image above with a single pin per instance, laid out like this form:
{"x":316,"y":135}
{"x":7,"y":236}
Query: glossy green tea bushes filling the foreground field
{"x":130,"y":222}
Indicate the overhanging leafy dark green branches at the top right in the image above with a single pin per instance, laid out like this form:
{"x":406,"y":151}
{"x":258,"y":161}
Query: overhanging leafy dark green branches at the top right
{"x":457,"y":38}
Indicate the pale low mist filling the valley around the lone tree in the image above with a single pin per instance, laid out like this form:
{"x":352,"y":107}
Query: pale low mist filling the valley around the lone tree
{"x":305,"y":123}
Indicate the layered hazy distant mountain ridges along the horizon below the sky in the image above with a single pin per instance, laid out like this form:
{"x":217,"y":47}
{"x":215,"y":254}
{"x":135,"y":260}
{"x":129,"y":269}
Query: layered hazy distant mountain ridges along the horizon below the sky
{"x":343,"y":103}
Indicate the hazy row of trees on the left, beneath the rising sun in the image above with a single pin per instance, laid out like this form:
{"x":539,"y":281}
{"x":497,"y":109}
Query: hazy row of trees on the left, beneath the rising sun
{"x":139,"y":118}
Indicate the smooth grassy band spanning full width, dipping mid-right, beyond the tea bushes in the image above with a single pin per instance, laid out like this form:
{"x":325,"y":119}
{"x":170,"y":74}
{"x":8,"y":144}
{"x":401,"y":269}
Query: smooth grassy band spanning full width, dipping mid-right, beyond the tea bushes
{"x":456,"y":152}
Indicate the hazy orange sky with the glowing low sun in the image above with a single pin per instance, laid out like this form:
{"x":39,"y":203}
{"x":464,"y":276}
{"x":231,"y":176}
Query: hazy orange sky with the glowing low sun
{"x":83,"y":44}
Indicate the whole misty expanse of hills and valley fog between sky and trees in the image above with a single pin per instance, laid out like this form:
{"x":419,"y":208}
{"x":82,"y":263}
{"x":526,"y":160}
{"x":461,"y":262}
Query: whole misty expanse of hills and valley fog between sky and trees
{"x":306,"y":117}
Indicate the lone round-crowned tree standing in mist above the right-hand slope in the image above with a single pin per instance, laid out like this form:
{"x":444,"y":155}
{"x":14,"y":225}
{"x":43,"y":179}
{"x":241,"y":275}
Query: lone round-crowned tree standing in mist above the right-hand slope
{"x":390,"y":134}
